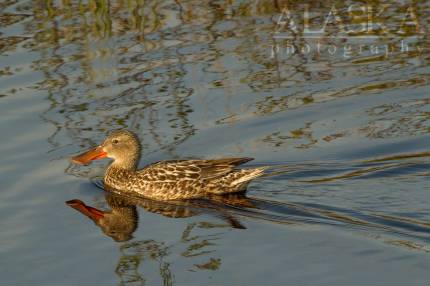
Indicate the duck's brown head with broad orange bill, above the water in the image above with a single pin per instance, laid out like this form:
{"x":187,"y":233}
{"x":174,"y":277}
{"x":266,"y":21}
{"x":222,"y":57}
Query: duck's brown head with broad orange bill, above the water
{"x":122,"y":146}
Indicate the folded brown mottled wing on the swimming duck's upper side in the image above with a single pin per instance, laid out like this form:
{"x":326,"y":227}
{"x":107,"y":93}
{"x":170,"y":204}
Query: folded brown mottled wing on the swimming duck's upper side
{"x":192,"y":169}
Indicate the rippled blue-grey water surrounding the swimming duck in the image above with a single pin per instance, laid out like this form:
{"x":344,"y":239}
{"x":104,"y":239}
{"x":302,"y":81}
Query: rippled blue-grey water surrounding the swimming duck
{"x":344,"y":202}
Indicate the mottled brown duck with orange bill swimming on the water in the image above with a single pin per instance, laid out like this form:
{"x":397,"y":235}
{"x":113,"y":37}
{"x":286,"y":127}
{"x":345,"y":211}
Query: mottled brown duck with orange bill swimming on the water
{"x":166,"y":180}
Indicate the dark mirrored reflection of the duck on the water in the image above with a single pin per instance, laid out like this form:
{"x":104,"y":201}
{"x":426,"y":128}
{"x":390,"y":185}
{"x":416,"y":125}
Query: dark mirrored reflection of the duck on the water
{"x":121,"y":221}
